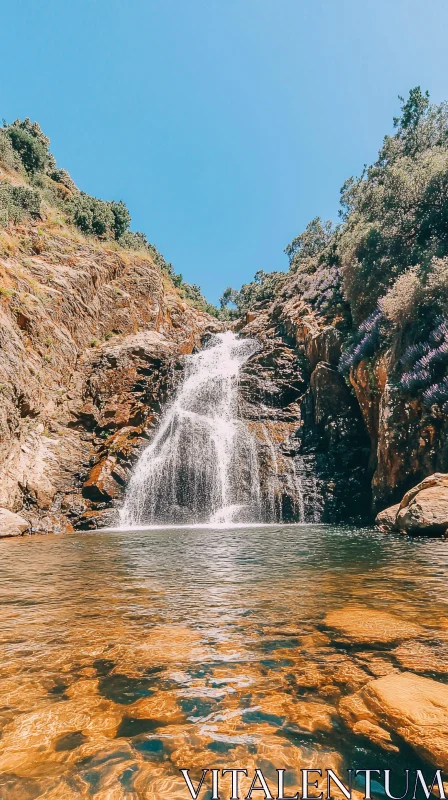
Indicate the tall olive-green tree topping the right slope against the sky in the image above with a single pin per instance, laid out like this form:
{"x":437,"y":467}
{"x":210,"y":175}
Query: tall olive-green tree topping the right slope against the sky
{"x":396,"y":214}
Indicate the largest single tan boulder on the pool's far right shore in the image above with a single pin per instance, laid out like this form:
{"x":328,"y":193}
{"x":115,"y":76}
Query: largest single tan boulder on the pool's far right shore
{"x":427,"y":512}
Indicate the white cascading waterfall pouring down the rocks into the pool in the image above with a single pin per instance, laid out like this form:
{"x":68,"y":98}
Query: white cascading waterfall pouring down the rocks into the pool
{"x":202,"y":464}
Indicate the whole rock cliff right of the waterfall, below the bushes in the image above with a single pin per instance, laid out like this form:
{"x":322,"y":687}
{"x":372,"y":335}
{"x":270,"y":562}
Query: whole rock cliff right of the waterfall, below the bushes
{"x":358,"y":439}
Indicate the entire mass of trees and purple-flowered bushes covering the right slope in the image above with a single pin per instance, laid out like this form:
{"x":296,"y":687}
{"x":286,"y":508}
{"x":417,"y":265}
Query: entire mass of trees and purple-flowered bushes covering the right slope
{"x":384,"y":268}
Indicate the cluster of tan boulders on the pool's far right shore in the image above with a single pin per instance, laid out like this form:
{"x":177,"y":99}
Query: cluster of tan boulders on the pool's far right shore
{"x":423,"y":510}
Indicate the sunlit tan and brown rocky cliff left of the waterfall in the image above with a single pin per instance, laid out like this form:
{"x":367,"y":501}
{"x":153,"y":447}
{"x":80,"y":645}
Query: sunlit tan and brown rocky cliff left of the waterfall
{"x":90,"y":338}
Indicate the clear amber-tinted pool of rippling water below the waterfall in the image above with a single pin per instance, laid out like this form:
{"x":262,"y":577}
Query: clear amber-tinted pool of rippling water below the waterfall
{"x":128,"y":655}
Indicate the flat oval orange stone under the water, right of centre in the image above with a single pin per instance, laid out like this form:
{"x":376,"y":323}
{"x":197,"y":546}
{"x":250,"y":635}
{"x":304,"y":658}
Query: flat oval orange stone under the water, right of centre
{"x":366,"y":625}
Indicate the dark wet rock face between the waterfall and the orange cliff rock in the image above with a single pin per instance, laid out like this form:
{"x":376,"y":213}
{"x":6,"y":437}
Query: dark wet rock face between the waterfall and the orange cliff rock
{"x":313,"y":445}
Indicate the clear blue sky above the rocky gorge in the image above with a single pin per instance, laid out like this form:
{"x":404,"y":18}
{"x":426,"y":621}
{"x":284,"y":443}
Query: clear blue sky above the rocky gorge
{"x":225,"y":125}
